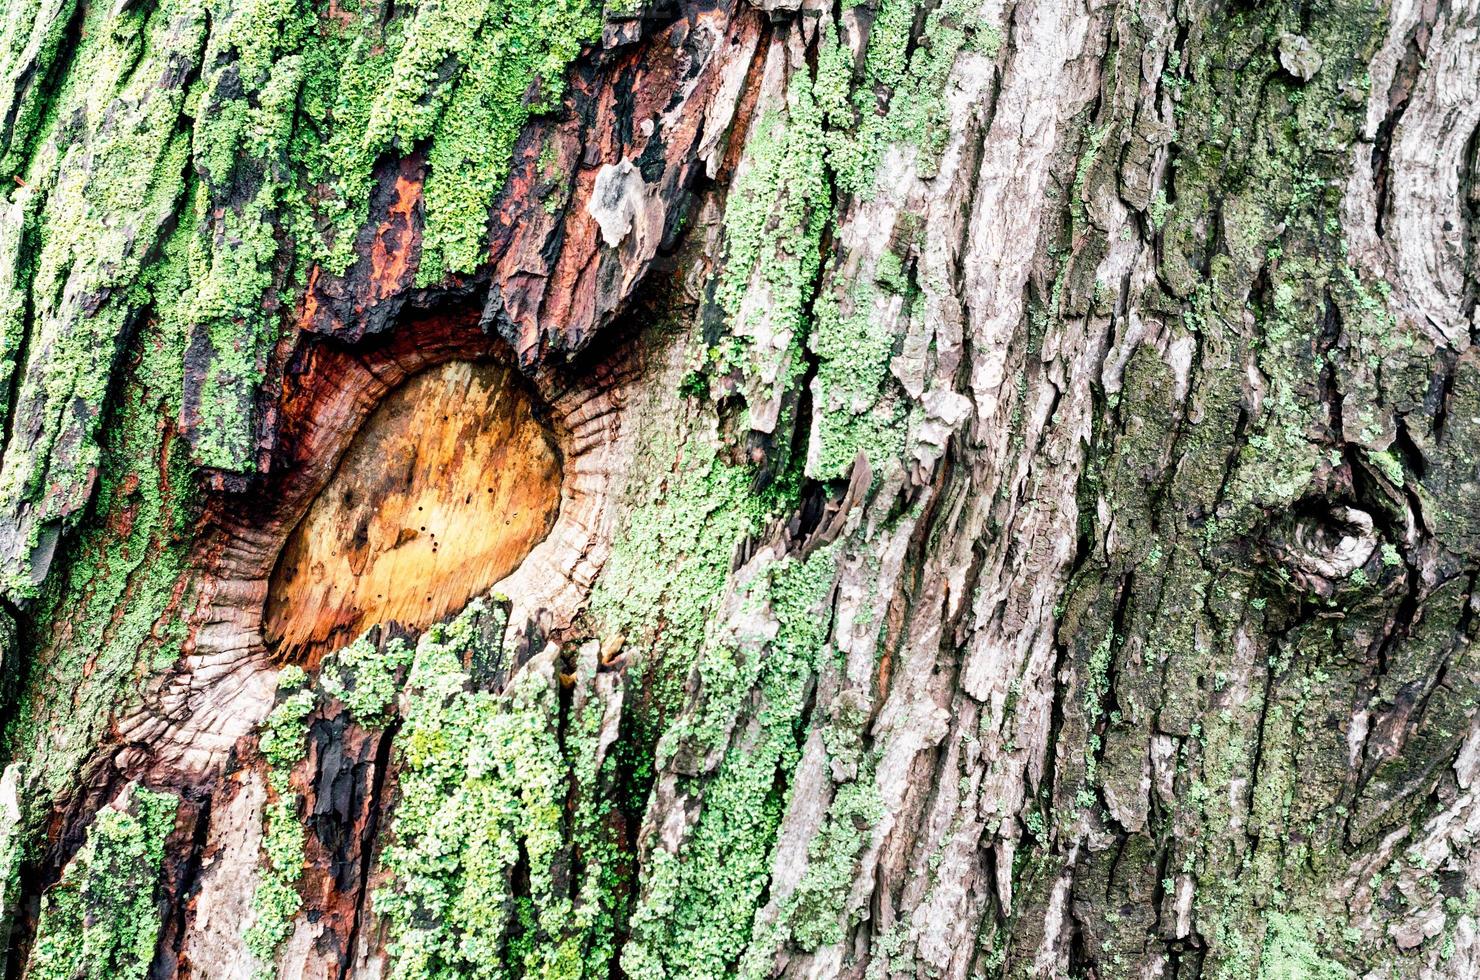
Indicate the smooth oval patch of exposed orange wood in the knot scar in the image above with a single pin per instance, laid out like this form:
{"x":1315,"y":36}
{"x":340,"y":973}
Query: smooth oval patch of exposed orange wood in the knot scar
{"x":443,"y":492}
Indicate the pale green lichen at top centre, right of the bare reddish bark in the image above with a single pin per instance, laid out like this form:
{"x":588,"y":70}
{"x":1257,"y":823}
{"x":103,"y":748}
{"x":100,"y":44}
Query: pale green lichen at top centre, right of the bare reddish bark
{"x":822,"y":143}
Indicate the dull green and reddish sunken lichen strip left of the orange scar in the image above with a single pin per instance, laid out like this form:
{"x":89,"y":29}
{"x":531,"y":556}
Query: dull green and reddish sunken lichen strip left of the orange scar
{"x":112,"y":614}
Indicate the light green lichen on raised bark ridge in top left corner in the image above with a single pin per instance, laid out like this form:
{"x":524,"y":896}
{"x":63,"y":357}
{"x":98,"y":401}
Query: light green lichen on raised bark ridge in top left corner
{"x":101,"y":220}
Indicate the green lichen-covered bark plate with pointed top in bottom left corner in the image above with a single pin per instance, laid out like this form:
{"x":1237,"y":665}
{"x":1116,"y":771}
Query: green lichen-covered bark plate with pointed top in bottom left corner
{"x":101,"y":922}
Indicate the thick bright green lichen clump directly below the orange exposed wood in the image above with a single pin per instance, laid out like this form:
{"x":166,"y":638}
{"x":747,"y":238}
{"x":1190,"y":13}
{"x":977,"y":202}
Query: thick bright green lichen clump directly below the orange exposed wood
{"x":483,"y":790}
